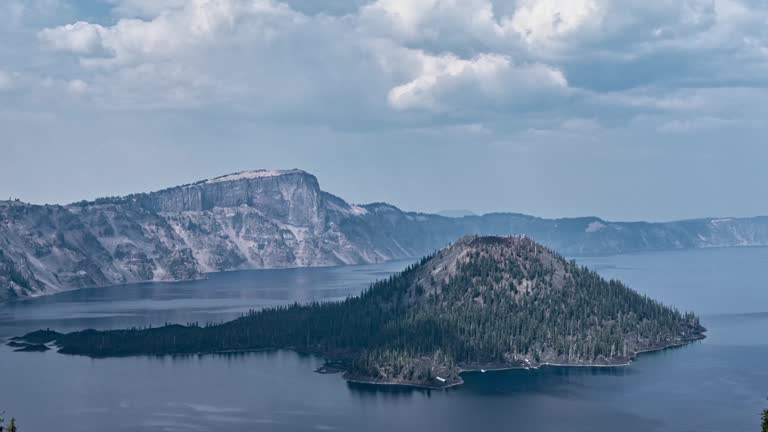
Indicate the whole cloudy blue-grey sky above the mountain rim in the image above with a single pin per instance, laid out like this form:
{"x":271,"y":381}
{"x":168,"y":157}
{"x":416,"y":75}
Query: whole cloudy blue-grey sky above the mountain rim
{"x":623,"y":109}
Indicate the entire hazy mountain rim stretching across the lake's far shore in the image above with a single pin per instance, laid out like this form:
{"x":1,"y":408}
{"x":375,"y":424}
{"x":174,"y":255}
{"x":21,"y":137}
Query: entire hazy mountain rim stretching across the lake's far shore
{"x":277,"y":219}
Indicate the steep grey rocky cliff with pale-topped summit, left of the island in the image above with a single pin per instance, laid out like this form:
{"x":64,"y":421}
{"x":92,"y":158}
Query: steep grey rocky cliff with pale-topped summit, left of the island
{"x":254,"y":219}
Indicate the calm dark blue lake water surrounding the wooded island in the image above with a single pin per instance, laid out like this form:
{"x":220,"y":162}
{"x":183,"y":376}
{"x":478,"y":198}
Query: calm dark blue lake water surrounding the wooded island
{"x":718,"y":384}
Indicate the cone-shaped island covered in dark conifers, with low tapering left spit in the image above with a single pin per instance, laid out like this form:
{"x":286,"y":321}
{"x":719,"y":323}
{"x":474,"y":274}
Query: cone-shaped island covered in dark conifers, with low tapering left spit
{"x":481,"y":303}
